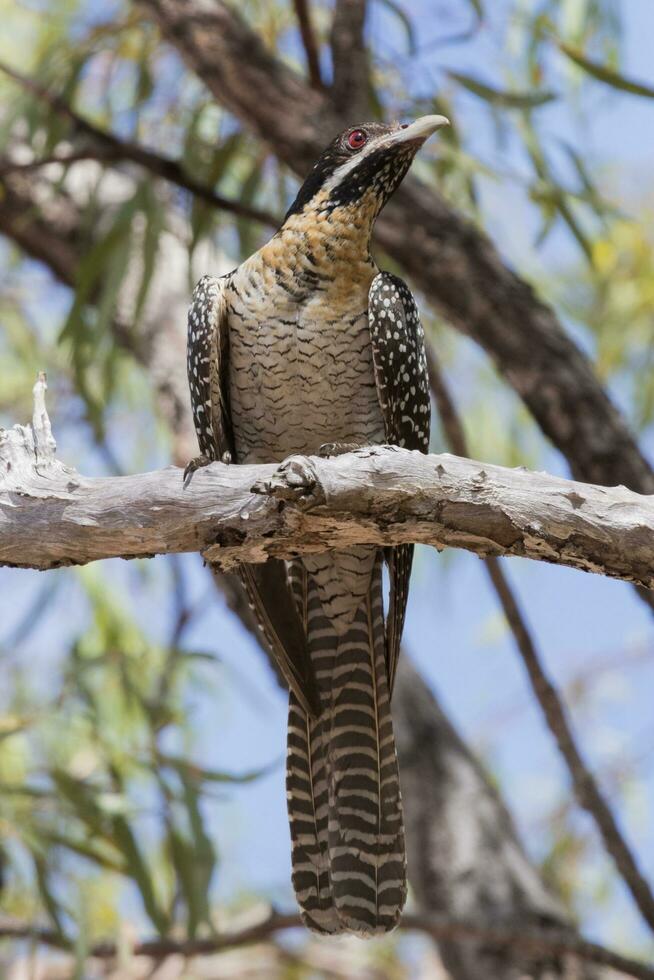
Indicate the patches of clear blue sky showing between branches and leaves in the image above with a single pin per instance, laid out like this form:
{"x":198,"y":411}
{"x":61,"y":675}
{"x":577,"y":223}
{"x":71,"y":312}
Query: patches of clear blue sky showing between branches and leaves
{"x":454,"y":633}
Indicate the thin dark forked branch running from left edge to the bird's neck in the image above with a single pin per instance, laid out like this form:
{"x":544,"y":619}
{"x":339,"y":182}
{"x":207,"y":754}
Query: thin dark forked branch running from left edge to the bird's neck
{"x":108,"y":148}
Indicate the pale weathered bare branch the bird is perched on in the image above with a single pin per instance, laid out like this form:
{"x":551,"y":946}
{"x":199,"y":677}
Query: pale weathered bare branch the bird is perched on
{"x":52,"y":516}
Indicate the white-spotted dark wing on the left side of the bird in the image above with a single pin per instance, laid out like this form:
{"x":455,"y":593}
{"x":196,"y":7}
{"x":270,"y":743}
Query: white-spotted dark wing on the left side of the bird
{"x":266,"y":585}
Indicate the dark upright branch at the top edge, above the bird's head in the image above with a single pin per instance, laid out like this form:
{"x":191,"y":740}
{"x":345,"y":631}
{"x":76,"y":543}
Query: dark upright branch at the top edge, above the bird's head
{"x":349,"y":91}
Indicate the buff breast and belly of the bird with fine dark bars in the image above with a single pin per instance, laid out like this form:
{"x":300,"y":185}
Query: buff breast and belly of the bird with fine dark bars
{"x":301,"y":371}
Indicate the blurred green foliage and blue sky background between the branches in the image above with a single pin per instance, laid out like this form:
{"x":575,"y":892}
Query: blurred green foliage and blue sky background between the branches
{"x":141,"y":732}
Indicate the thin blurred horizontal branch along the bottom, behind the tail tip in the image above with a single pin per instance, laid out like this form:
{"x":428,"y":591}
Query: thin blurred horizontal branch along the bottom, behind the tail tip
{"x":538,"y":941}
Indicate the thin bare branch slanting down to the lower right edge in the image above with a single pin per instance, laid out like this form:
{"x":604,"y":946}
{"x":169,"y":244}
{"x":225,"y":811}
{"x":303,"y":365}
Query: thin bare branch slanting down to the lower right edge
{"x":586,"y":788}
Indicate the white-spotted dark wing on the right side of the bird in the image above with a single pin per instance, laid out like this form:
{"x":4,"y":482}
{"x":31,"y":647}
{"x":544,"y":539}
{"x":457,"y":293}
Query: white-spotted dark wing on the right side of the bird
{"x":398,"y":353}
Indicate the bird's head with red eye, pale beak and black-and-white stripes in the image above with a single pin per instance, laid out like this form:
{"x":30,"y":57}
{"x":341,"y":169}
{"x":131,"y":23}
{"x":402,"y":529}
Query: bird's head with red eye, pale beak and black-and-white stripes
{"x":356,"y":174}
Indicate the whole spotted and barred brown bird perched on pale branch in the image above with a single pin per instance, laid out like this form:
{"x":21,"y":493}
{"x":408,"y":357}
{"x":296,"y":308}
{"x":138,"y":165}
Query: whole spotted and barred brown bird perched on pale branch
{"x":308,"y":348}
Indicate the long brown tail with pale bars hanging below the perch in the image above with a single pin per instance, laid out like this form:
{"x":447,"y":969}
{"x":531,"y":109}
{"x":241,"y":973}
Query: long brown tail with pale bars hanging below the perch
{"x":343,"y":791}
